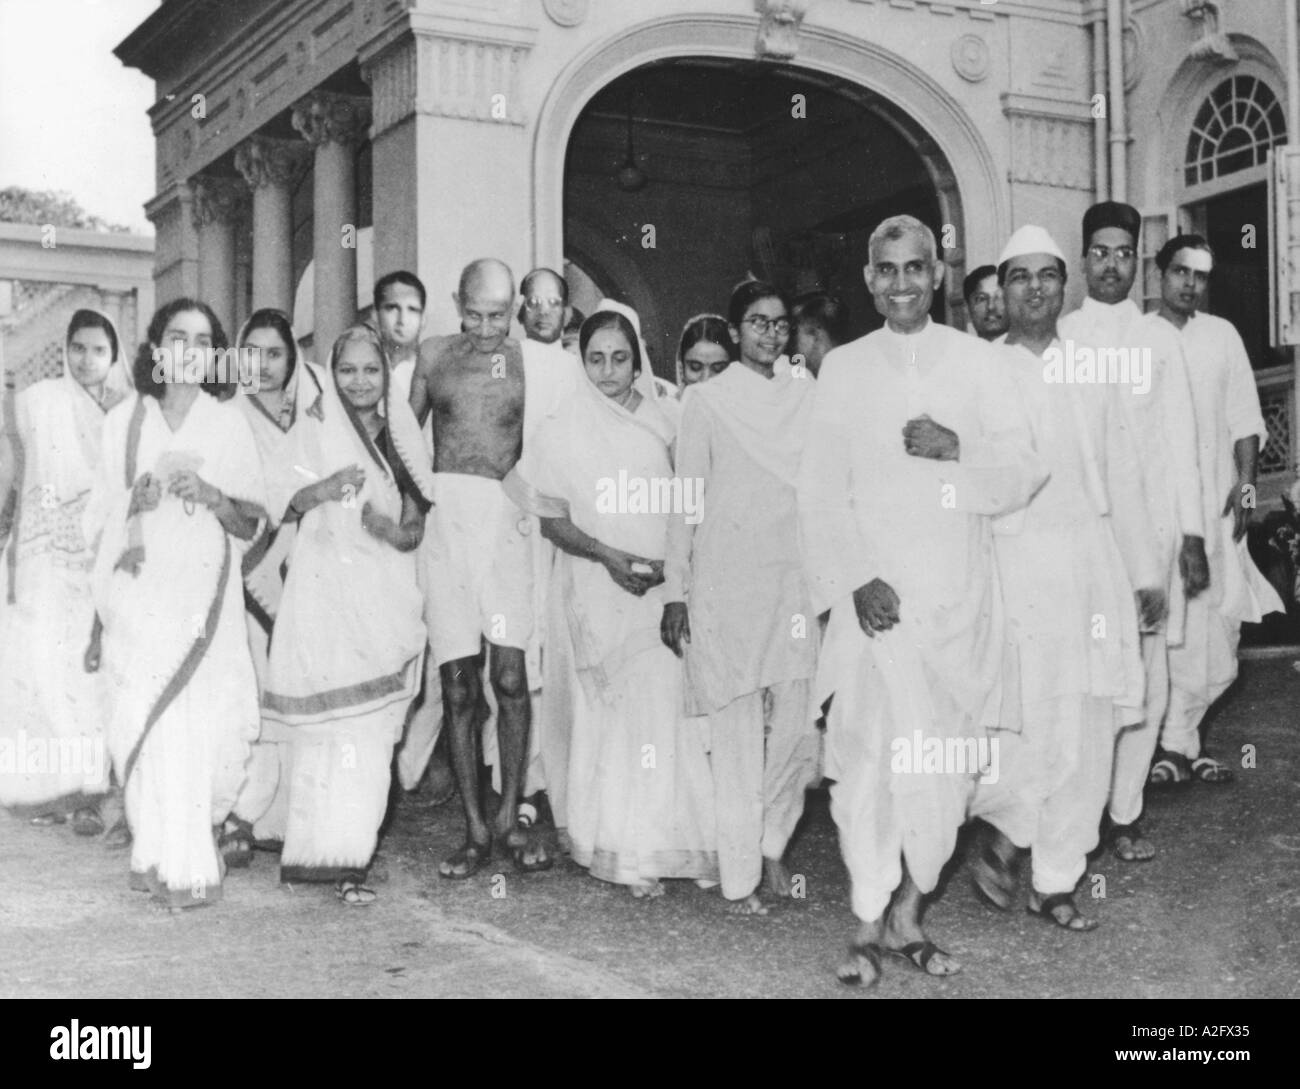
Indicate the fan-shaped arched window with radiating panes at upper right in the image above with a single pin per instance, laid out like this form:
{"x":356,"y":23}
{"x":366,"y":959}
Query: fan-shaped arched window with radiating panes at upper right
{"x":1234,"y":129}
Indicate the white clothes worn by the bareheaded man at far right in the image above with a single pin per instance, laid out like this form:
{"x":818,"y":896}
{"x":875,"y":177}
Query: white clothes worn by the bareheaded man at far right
{"x":1228,"y":410}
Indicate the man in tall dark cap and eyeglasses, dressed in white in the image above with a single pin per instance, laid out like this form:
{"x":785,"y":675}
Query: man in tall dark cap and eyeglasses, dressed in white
{"x":1110,"y":339}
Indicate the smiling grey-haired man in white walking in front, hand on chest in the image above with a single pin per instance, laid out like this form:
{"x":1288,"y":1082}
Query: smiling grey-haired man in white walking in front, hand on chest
{"x":916,"y":441}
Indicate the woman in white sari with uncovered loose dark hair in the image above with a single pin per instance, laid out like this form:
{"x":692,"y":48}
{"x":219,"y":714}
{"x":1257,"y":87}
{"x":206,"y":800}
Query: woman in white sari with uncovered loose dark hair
{"x":179,"y":500}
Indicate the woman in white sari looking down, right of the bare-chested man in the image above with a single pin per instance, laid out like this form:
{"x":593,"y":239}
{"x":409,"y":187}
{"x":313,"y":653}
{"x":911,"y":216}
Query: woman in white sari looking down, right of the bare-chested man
{"x":638,"y":805}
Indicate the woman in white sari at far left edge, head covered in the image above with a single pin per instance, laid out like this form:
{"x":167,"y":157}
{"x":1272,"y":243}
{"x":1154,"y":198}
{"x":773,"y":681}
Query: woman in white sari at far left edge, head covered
{"x":53,"y":757}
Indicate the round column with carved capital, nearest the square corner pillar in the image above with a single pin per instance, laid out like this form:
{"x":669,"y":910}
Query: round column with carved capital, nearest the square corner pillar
{"x":333,"y":124}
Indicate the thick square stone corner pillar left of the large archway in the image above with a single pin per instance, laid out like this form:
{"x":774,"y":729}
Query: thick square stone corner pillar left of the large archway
{"x":449,"y":115}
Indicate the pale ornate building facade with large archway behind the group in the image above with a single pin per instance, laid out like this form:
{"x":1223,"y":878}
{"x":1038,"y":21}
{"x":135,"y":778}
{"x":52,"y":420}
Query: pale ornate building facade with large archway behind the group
{"x":662,"y":150}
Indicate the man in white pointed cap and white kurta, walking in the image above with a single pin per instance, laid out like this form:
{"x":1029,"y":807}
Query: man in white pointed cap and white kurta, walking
{"x":1074,"y":667}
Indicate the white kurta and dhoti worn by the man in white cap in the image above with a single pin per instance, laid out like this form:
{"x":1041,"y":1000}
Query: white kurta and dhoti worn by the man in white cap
{"x":1073,"y":654}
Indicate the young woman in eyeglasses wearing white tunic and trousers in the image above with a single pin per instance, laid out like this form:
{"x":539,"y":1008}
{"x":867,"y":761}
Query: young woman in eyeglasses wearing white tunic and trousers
{"x":738,"y":605}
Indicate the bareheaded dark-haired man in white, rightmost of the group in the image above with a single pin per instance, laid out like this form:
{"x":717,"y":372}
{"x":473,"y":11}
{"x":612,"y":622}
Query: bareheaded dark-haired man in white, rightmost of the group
{"x":1230,"y":432}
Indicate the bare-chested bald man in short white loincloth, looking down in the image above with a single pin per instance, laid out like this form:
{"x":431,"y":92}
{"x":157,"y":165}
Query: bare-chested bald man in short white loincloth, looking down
{"x":478,"y":556}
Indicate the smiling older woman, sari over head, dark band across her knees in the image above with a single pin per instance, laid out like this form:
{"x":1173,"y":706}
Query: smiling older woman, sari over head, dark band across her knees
{"x":349,"y":643}
